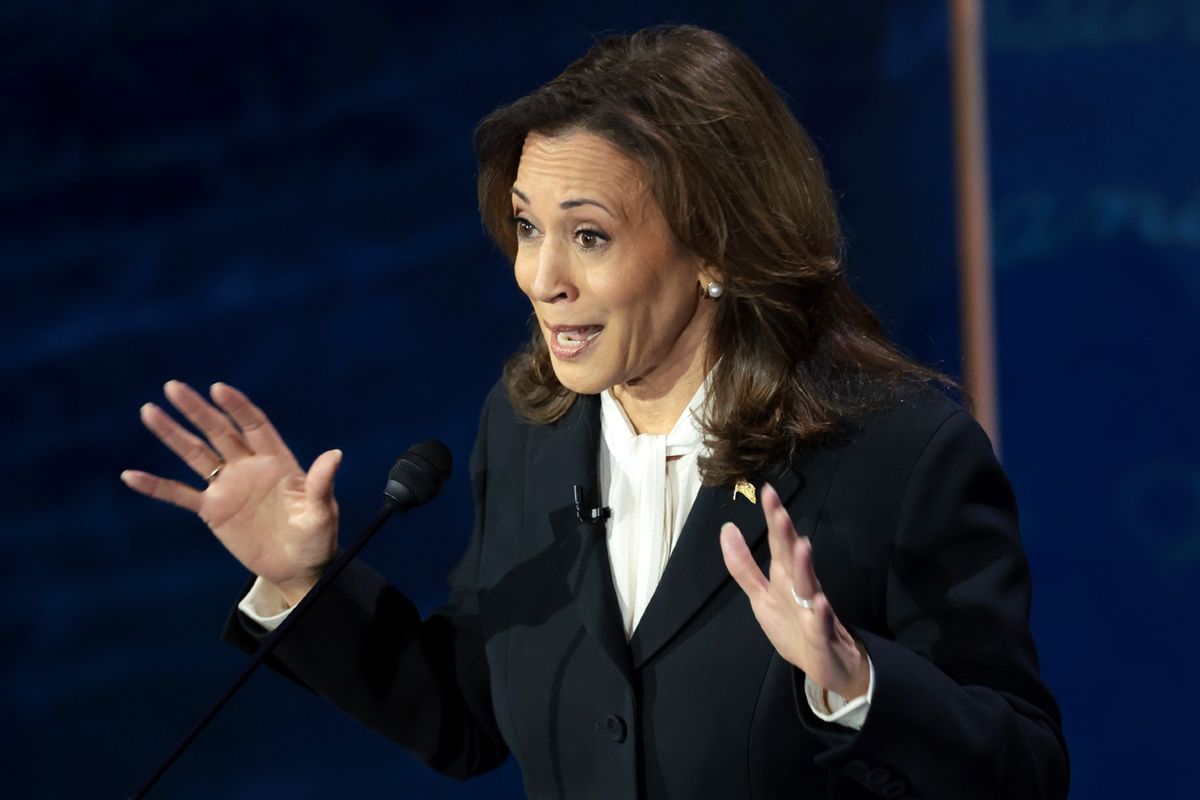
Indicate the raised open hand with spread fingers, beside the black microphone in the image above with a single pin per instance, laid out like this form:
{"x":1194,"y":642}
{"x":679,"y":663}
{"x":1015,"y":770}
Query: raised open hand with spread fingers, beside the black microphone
{"x":275,"y":519}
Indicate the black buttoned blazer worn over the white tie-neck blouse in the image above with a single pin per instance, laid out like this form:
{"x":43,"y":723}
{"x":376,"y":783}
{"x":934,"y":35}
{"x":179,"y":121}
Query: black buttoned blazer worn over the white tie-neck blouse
{"x":916,"y":544}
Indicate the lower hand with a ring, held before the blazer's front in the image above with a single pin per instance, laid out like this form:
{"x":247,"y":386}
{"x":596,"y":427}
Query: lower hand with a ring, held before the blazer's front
{"x":814,"y":640}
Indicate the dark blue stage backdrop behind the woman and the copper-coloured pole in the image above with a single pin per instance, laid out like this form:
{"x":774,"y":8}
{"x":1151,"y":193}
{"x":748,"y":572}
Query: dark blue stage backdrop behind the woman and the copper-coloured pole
{"x":280,"y":196}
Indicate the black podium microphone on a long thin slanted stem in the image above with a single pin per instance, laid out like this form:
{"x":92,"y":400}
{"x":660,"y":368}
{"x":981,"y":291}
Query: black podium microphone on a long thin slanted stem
{"x":417,"y":477}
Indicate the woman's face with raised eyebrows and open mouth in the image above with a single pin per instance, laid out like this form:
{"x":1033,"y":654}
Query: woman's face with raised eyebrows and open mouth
{"x":617,"y":297}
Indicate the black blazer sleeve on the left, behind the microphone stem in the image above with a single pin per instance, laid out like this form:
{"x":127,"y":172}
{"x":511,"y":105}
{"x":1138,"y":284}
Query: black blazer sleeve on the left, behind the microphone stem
{"x":423,"y":684}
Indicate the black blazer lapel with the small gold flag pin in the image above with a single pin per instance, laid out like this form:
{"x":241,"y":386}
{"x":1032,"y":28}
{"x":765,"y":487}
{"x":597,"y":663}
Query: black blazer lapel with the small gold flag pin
{"x":697,"y":568}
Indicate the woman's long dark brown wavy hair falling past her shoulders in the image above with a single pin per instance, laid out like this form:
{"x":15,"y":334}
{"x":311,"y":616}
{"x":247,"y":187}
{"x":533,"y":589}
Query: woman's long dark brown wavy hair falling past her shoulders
{"x":794,"y":353}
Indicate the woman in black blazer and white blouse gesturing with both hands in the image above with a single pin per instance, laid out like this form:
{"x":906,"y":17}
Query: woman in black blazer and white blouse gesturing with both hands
{"x":812,"y":582}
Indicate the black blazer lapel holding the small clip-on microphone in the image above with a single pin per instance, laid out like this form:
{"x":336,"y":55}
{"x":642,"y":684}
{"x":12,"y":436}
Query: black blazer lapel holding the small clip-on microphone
{"x":567,"y":456}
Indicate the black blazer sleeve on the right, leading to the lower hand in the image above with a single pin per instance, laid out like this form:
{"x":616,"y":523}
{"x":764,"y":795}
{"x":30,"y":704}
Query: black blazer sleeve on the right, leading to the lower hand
{"x":959,"y":708}
